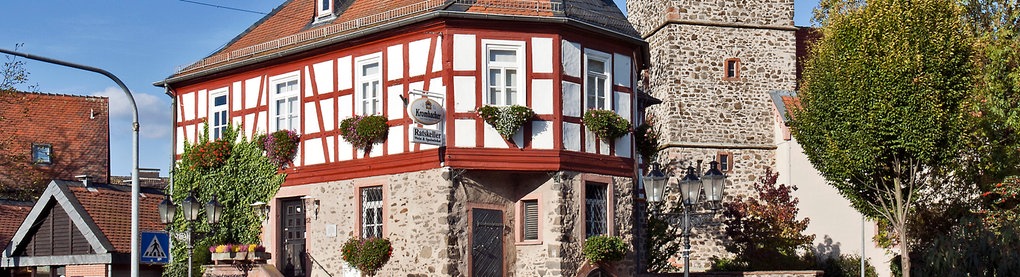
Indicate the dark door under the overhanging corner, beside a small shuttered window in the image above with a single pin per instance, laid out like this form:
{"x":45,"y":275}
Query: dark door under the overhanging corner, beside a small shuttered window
{"x":487,"y":243}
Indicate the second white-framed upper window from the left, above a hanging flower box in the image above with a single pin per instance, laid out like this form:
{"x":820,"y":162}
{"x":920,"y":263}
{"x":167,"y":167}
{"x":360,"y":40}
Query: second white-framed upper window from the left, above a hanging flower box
{"x":286,"y":107}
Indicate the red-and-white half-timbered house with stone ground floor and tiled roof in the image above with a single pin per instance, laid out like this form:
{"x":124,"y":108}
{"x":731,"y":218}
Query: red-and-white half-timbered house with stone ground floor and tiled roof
{"x":480,"y":205}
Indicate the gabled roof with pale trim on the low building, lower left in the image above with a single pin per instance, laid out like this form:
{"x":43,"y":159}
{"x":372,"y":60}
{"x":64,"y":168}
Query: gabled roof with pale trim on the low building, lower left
{"x":100,"y":212}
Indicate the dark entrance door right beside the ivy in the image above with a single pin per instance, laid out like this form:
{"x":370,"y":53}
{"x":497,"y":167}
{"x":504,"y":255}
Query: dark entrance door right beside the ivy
{"x":293,"y":239}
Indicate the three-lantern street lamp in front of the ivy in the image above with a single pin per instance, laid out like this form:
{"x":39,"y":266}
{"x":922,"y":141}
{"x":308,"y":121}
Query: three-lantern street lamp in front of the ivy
{"x":191,"y":208}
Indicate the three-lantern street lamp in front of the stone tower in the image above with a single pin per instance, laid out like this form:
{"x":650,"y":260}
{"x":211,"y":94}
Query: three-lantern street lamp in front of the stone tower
{"x":691,"y":190}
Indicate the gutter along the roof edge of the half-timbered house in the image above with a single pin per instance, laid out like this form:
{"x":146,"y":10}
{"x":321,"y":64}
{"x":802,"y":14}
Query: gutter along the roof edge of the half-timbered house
{"x":395,"y":25}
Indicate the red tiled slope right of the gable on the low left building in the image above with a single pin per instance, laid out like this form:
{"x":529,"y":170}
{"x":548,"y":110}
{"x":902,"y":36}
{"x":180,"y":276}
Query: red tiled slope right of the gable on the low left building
{"x":111,"y":210}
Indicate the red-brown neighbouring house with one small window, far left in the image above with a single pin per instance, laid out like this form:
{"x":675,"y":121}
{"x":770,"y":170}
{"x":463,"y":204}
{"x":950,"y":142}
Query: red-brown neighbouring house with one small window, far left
{"x":46,"y":137}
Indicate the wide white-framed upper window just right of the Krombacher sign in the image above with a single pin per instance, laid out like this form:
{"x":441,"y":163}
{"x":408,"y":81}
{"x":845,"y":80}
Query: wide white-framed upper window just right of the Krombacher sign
{"x":504,"y":63}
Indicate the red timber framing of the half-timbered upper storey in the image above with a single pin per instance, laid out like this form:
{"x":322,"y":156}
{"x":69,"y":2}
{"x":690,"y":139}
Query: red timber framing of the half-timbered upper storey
{"x":414,"y":157}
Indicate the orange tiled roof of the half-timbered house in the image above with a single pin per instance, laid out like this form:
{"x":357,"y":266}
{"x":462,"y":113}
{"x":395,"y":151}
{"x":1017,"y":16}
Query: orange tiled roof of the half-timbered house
{"x":293,"y":27}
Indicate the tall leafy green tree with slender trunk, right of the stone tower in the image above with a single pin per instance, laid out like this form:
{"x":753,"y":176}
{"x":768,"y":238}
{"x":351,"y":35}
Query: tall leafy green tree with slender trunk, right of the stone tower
{"x":882,"y":116}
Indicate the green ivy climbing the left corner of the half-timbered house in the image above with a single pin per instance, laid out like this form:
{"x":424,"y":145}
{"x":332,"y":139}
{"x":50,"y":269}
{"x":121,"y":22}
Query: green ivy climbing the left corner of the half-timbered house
{"x":247,"y":177}
